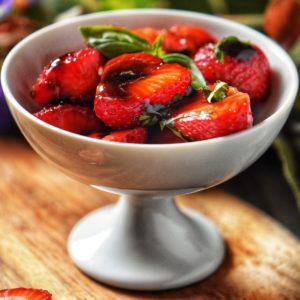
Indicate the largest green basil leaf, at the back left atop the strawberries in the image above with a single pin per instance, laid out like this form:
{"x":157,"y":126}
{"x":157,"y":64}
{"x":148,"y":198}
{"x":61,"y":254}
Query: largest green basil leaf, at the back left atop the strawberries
{"x":112,"y":41}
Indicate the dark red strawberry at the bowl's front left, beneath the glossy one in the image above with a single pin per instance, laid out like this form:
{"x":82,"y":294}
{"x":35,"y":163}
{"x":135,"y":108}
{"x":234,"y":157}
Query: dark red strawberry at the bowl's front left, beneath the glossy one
{"x":72,"y":118}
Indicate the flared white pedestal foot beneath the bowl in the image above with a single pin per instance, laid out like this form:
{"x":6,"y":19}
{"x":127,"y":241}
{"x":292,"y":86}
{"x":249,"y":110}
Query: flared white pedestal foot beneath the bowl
{"x":146,"y":243}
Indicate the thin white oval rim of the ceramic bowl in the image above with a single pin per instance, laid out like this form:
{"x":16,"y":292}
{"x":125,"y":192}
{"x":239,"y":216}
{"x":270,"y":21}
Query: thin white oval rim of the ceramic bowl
{"x":287,"y":105}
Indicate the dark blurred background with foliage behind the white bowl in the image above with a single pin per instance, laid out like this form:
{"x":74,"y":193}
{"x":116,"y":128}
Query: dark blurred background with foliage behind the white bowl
{"x":273,"y":182}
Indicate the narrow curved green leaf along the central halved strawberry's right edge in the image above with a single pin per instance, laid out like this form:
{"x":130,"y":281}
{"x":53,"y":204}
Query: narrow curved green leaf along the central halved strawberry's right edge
{"x":198,"y":80}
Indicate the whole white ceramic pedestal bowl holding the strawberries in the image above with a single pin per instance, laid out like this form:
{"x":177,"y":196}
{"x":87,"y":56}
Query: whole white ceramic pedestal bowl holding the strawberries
{"x":143,"y":170}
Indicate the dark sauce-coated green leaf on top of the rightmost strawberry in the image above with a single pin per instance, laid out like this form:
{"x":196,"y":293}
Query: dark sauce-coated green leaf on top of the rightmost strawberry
{"x":232,"y":46}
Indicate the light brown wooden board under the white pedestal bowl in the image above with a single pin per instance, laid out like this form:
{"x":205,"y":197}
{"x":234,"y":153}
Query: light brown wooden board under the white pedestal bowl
{"x":39,"y":206}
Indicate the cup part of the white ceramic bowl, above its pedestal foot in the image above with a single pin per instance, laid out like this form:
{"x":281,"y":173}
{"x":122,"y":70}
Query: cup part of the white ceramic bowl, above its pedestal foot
{"x":194,"y":165}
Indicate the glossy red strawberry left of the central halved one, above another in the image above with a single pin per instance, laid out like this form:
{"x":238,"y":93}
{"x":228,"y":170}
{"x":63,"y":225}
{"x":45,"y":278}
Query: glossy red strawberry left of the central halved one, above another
{"x":71,"y":77}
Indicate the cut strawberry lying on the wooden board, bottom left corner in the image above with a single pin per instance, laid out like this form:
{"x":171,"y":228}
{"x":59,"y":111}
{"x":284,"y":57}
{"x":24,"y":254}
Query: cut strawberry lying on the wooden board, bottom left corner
{"x":24,"y":294}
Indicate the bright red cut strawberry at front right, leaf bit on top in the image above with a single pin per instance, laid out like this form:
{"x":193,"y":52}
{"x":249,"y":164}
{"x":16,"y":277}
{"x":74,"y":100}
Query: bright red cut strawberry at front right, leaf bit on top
{"x":200,"y":120}
